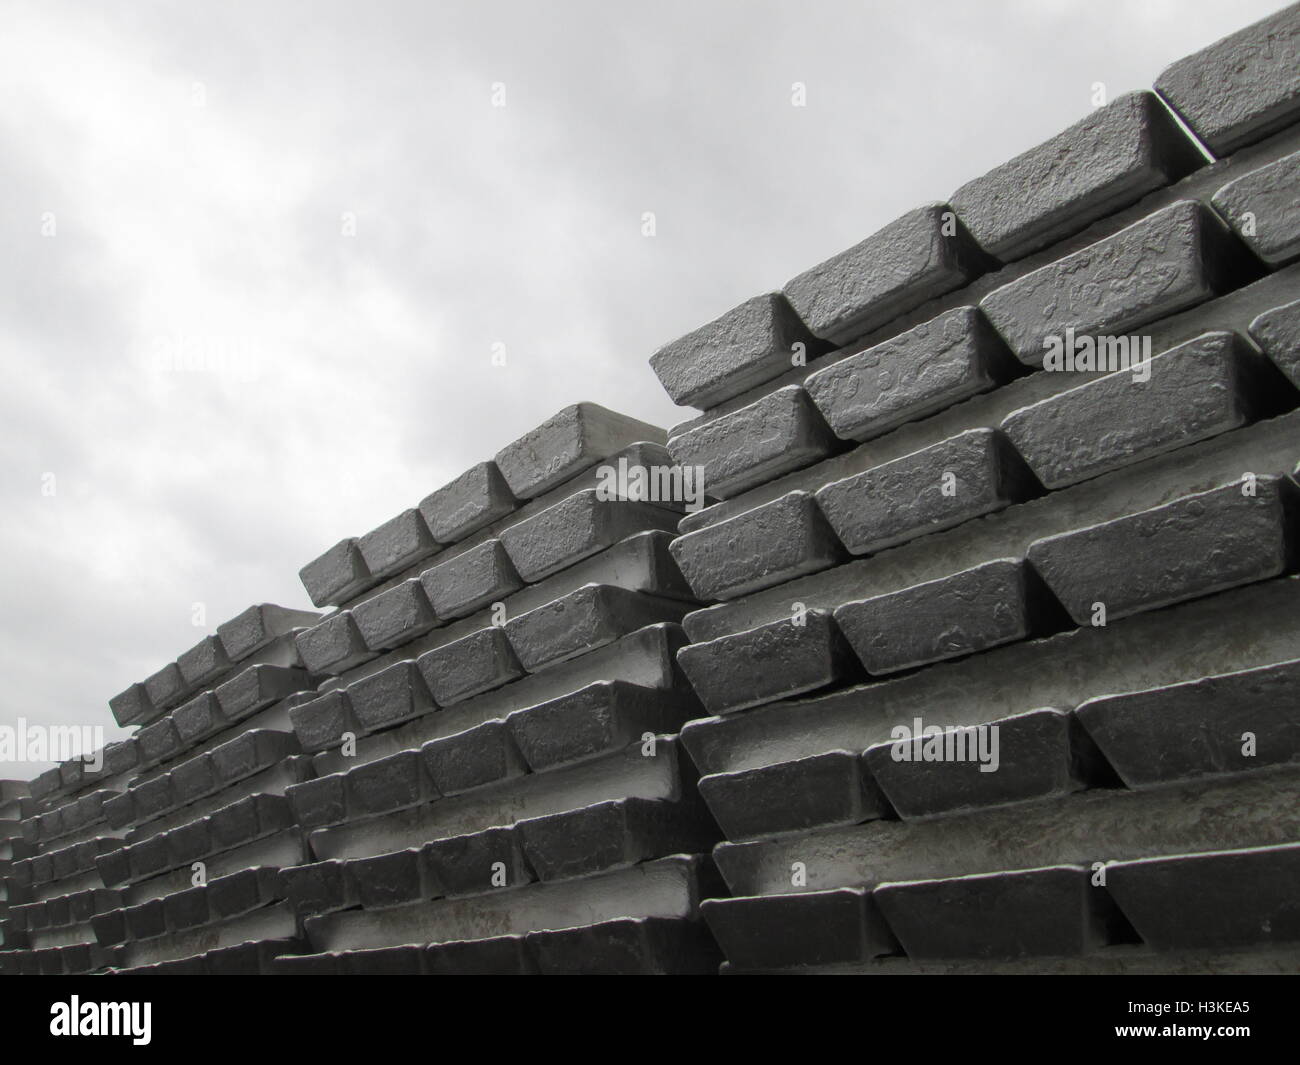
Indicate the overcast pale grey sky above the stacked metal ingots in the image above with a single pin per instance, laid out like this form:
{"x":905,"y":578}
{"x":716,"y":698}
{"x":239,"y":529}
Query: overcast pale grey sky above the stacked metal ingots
{"x":176,"y":183}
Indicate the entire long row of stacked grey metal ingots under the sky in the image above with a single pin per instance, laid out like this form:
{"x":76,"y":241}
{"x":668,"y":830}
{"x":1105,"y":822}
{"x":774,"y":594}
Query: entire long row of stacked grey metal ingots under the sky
{"x":981,"y":656}
